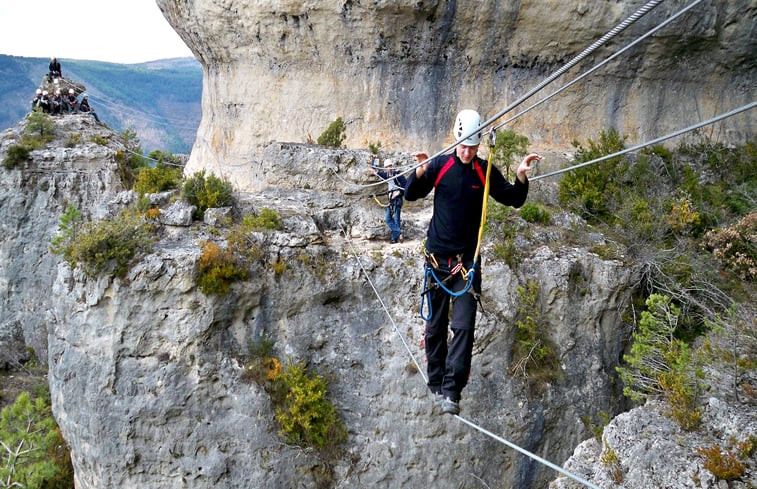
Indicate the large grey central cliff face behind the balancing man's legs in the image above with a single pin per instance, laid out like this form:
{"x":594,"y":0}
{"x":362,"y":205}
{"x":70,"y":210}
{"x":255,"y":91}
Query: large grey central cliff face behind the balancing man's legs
{"x":146,"y":372}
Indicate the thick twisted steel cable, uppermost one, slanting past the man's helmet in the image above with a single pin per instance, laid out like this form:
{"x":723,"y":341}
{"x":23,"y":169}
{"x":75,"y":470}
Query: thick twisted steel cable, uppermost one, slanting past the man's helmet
{"x":595,"y":45}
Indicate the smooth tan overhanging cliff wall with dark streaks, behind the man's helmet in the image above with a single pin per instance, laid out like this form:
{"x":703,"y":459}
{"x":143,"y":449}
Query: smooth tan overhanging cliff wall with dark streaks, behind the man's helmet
{"x":397,"y":71}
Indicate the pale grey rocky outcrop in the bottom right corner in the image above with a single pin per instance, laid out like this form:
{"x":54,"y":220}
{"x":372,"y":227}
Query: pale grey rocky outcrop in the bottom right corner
{"x":643,"y":436}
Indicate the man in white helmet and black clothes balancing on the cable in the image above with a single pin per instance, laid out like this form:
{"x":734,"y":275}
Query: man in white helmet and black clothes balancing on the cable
{"x":458,"y":182}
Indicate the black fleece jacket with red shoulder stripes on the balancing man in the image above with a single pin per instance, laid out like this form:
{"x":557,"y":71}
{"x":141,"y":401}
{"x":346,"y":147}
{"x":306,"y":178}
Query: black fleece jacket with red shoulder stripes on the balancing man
{"x":458,"y":202}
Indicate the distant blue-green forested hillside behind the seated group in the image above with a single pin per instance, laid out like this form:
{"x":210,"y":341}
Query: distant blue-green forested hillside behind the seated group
{"x":160,"y":100}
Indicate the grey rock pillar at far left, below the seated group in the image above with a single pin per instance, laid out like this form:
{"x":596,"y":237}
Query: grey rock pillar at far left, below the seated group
{"x":31,"y":203}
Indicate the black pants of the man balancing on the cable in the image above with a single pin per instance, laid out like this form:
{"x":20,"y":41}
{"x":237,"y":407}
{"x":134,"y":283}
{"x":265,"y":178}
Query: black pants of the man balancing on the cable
{"x":449,"y":363}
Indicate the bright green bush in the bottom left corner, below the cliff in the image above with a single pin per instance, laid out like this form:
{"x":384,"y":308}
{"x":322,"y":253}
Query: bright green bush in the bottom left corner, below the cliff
{"x":33,"y":453}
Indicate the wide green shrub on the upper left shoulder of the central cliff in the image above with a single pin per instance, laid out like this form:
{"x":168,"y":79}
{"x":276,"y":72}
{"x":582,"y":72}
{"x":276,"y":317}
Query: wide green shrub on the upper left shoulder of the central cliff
{"x":109,"y":243}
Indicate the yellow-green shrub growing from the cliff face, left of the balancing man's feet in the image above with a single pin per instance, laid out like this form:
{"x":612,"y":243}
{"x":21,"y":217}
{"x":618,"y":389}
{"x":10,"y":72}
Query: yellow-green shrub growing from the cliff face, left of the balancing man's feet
{"x":303,"y":412}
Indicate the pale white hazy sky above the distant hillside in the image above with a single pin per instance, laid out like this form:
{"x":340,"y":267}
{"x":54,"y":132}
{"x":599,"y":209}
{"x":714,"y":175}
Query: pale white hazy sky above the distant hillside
{"x":117,"y":31}
